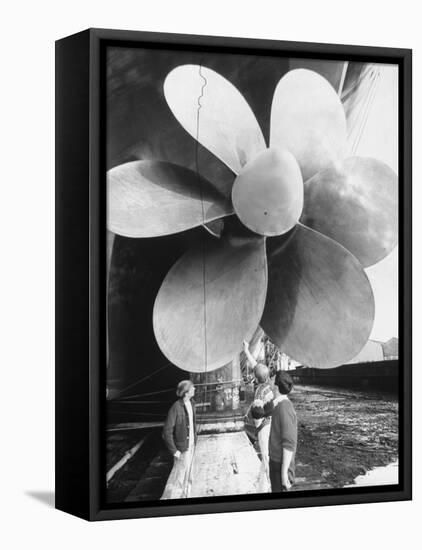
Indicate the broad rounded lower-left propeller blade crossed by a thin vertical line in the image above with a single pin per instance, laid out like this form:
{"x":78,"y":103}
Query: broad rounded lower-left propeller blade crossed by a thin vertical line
{"x":210,"y":301}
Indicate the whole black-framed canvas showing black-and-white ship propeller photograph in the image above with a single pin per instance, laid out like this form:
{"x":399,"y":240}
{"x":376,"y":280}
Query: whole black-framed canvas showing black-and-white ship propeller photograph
{"x":233,"y":277}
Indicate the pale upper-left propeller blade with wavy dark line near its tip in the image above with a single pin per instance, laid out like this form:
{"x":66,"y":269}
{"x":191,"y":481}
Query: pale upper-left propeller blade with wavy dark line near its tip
{"x":215,"y":113}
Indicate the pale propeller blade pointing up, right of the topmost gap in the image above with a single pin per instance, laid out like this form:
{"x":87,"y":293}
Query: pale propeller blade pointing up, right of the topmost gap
{"x":308,"y":119}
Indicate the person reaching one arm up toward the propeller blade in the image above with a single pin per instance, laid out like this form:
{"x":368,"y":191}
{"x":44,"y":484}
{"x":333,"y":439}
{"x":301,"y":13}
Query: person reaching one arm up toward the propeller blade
{"x":261,"y":410}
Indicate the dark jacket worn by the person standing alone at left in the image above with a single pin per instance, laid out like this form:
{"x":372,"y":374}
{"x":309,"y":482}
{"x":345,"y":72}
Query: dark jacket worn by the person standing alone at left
{"x":176,"y":427}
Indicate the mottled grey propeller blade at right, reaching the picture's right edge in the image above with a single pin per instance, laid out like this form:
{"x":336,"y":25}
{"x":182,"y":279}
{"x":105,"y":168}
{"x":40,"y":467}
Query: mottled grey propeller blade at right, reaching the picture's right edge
{"x":356,"y":204}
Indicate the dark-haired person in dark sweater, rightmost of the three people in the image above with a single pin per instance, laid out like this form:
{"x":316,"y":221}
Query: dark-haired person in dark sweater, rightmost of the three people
{"x":283,"y":436}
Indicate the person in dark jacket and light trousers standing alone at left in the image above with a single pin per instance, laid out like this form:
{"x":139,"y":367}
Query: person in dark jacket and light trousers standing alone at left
{"x":180,"y":434}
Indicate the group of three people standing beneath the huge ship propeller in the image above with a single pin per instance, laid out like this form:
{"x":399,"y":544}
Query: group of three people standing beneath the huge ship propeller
{"x":275,"y":423}
